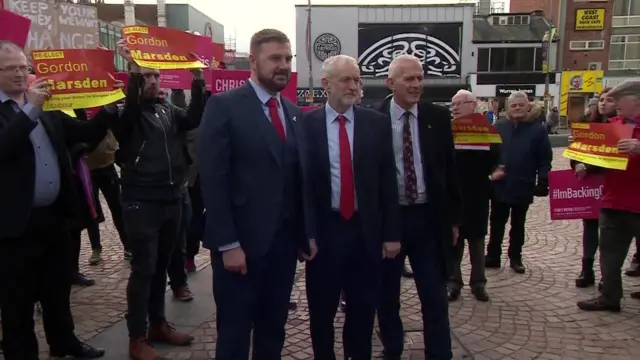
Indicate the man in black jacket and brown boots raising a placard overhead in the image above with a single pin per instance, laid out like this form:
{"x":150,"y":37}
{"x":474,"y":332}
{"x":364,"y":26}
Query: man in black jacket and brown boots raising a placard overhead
{"x":151,"y":135}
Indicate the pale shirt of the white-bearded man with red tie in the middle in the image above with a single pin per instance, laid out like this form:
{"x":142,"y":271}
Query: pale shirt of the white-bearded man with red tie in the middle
{"x":333,"y":138}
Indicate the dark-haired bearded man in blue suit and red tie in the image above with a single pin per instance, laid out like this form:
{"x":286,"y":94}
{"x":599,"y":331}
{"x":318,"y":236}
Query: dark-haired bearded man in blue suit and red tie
{"x":250,"y":147}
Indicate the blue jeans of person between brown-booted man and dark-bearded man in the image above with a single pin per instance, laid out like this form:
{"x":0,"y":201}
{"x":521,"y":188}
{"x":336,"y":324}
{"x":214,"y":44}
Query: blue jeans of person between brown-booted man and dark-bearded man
{"x":176,"y":271}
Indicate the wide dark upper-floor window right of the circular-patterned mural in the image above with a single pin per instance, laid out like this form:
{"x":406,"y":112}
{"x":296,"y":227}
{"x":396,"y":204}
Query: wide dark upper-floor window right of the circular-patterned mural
{"x":510,"y":59}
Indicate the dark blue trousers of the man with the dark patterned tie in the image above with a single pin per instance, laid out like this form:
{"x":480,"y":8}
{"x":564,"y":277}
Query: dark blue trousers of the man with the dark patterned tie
{"x":424,"y":247}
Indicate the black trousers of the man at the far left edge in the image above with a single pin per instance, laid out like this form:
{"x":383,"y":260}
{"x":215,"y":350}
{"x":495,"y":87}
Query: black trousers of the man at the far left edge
{"x":36,"y":267}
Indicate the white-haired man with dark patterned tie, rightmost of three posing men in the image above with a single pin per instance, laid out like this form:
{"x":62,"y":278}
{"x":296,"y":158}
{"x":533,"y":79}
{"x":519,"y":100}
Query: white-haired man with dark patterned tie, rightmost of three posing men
{"x":429,"y":196}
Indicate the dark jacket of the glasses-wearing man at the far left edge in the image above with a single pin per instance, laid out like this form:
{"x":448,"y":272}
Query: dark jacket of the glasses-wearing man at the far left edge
{"x":17,"y":163}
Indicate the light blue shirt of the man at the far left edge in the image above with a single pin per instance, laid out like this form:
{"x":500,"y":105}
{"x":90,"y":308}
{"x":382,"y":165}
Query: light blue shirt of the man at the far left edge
{"x":47,"y":179}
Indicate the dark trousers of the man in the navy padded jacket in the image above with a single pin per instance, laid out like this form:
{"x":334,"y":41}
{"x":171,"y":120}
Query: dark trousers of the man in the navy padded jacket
{"x":500,"y":212}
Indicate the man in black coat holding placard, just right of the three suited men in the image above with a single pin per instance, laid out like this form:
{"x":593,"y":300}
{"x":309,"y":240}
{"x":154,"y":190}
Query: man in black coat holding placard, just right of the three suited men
{"x":478,"y":166}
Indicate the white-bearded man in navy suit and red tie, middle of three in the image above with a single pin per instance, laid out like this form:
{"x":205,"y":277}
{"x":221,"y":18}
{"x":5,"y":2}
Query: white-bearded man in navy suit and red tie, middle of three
{"x":352,"y":179}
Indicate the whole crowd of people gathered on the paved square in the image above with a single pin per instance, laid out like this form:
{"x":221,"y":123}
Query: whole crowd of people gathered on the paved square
{"x":353,"y":192}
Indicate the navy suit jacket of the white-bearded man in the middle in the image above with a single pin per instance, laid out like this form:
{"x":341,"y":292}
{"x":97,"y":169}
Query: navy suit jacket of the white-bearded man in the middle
{"x":374,"y":172}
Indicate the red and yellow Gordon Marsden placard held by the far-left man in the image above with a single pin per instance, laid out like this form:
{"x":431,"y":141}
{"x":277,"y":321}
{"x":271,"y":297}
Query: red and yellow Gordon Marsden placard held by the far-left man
{"x":78,"y":78}
